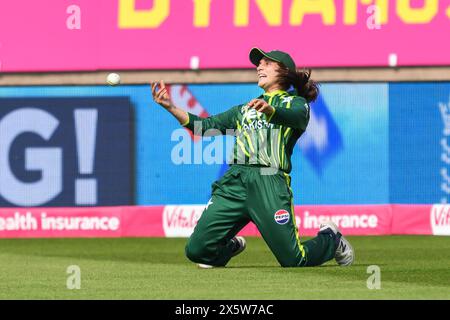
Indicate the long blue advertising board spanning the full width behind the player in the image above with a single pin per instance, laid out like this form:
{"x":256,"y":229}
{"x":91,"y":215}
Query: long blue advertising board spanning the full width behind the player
{"x":366,"y":143}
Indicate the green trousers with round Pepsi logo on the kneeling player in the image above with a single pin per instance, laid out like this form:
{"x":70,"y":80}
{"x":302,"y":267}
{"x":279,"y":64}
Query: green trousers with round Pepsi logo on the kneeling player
{"x":262,"y":196}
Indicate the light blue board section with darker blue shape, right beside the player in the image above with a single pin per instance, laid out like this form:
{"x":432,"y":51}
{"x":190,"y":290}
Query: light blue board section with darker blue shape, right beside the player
{"x":353,"y":139}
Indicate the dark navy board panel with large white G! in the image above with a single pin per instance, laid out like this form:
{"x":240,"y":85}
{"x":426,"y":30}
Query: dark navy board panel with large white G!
{"x":69,"y":151}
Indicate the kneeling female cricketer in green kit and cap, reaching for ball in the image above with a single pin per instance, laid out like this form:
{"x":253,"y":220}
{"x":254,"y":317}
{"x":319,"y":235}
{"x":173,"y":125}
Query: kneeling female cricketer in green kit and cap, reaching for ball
{"x":256,"y":188}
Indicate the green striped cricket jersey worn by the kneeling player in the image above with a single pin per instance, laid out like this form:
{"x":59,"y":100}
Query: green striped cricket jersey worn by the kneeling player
{"x":260,"y":140}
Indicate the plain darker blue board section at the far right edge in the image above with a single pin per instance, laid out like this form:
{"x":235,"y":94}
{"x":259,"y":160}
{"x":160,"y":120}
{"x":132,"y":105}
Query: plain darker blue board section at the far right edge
{"x":419,"y":126}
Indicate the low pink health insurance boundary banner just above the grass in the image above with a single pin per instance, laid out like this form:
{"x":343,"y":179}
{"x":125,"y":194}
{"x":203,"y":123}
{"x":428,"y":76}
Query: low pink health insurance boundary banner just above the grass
{"x":180,"y":220}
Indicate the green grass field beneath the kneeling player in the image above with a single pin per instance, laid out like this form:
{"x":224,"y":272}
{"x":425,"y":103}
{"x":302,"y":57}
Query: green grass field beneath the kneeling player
{"x":412,"y":267}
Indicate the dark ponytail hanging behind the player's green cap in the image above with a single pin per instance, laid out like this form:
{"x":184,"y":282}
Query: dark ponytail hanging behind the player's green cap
{"x":301,"y":81}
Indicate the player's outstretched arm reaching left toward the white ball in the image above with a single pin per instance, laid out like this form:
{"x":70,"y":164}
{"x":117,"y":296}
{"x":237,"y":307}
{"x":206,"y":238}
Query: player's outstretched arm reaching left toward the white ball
{"x":220,"y":122}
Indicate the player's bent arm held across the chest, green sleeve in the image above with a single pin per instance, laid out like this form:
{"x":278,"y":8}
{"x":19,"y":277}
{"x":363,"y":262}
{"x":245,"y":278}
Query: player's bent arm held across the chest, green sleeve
{"x":296,"y":116}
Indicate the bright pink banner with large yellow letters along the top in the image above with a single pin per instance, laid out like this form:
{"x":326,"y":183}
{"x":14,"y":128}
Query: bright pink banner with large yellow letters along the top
{"x":64,"y":35}
